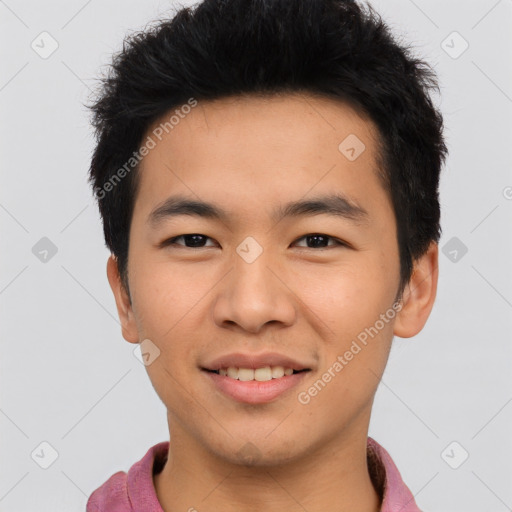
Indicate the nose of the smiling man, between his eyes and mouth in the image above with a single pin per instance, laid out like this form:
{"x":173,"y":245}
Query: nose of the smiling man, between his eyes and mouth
{"x":254,"y":295}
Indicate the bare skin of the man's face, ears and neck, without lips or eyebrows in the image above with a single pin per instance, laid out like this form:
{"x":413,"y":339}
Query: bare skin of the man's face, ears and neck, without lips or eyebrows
{"x":249,"y":155}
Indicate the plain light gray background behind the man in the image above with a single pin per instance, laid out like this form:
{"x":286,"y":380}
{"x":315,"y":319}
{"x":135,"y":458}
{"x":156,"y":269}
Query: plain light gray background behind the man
{"x":68,"y":378}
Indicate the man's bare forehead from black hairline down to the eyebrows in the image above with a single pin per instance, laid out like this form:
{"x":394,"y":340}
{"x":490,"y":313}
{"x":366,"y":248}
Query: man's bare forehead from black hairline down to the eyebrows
{"x":263,"y":149}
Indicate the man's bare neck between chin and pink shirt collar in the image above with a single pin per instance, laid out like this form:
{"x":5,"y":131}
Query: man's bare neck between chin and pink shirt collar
{"x":335,"y":476}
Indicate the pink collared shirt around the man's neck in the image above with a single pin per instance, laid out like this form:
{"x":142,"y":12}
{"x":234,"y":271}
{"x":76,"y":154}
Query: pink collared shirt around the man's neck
{"x":135,"y":491}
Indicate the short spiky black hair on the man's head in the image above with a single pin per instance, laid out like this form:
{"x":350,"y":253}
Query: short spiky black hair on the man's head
{"x":338,"y":49}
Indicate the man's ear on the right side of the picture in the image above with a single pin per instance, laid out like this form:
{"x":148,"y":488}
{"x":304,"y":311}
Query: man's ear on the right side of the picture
{"x":419,"y":295}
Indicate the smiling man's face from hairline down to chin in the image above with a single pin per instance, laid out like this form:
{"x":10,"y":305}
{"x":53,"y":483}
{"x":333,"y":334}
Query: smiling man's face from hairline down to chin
{"x":256,"y":273}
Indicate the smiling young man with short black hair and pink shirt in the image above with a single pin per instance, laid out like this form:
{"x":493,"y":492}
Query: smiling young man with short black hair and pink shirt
{"x":267,"y":173}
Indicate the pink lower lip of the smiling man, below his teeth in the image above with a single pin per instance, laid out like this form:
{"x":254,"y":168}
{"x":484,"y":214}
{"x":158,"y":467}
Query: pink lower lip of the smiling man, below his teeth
{"x":253,"y":391}
